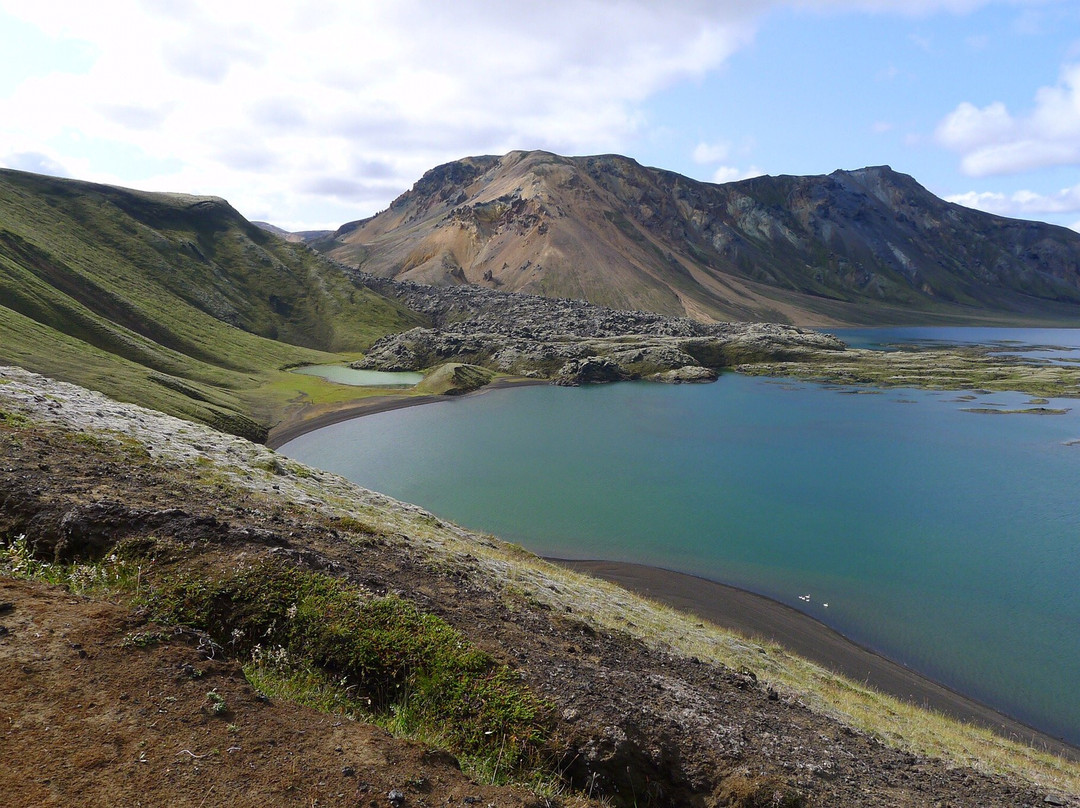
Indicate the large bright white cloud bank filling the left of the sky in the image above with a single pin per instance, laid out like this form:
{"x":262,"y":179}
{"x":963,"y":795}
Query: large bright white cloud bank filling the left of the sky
{"x":312,"y":115}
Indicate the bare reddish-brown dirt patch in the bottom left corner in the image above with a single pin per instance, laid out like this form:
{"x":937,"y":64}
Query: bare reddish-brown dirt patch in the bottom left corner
{"x":89,"y":719}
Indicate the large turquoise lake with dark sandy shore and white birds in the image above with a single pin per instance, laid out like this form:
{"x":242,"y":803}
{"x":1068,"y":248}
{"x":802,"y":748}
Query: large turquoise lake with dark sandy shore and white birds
{"x":948,"y":541}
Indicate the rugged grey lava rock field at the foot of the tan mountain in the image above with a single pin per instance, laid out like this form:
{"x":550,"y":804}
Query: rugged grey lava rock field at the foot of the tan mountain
{"x":574,"y":343}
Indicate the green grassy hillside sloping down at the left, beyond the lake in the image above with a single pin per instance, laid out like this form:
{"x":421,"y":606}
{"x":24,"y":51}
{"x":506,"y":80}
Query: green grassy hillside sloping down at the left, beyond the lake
{"x":170,"y":301}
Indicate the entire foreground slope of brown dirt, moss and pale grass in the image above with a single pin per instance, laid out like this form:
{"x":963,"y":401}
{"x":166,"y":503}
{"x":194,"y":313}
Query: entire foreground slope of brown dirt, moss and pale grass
{"x":187,"y":620}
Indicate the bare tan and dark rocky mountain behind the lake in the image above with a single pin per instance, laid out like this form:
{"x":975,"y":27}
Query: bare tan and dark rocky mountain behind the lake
{"x":855,"y":247}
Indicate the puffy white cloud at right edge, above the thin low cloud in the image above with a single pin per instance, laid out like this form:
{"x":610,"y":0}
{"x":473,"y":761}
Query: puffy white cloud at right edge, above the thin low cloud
{"x":992,"y":141}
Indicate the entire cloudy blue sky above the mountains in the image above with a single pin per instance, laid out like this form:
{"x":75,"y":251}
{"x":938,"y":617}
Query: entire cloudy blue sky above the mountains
{"x":316,"y":114}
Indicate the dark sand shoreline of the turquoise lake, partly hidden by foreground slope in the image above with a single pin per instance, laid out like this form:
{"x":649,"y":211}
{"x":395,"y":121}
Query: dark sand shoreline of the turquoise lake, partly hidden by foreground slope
{"x":730,"y":608}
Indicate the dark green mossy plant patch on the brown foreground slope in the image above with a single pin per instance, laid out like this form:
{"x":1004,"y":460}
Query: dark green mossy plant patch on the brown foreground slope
{"x":327,"y":643}
